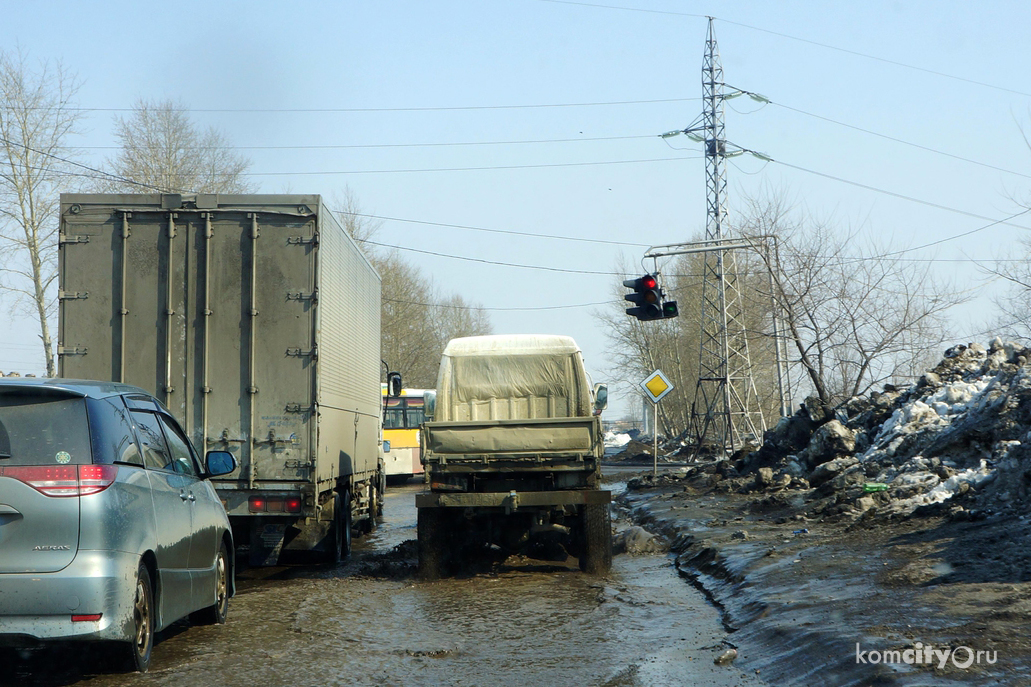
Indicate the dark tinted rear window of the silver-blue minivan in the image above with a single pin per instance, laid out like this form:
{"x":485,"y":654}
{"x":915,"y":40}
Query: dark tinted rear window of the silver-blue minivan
{"x":44,"y":431}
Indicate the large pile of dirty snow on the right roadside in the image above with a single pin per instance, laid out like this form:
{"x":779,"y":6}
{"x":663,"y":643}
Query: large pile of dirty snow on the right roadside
{"x":958,"y":443}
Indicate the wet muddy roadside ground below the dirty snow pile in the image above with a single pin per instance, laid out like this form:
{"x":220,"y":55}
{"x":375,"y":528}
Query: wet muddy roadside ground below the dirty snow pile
{"x":809,"y":600}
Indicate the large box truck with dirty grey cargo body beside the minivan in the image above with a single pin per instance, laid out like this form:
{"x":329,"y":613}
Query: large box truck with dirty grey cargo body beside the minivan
{"x":256,"y":320}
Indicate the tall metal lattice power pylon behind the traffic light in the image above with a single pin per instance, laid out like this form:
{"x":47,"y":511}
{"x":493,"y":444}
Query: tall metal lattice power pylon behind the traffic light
{"x":726,"y":409}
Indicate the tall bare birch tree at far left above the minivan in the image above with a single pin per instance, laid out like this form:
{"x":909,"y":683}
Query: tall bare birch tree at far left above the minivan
{"x":37,"y":121}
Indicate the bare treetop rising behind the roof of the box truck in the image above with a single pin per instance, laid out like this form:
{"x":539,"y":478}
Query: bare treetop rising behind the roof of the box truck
{"x":163,"y":149}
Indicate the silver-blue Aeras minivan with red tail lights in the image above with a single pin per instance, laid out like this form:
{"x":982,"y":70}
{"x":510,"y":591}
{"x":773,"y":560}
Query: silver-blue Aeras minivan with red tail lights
{"x":110,"y":529}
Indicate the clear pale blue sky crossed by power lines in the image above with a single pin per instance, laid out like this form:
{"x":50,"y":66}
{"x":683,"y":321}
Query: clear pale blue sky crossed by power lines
{"x":544,"y":118}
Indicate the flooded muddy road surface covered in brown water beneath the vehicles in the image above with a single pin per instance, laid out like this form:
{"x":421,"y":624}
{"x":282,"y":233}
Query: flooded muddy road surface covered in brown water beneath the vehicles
{"x":370,"y":623}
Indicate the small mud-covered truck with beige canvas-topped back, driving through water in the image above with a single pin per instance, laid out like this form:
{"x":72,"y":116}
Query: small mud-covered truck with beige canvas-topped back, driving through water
{"x":513,"y":449}
